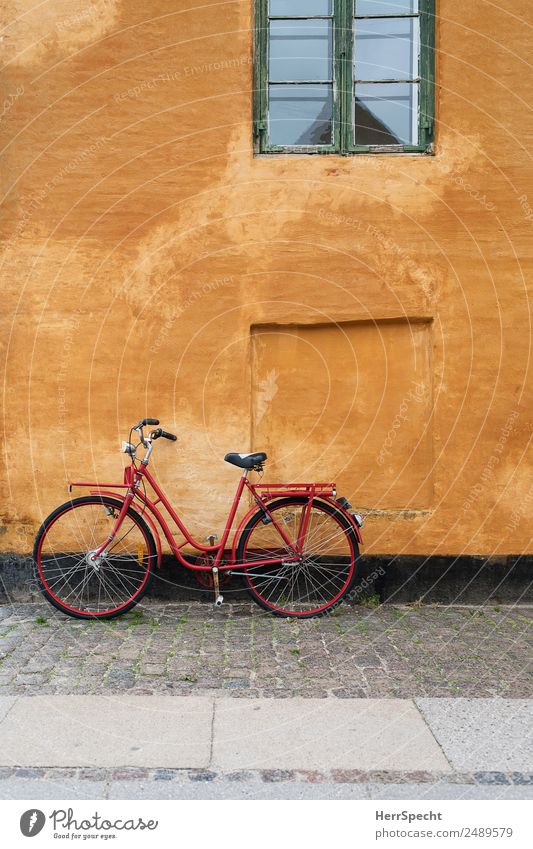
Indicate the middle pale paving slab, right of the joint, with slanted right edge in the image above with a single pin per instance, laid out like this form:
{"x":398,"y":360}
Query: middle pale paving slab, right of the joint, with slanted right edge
{"x":344,"y":733}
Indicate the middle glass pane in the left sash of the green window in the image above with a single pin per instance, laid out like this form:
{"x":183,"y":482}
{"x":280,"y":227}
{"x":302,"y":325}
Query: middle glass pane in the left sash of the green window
{"x":300,"y":50}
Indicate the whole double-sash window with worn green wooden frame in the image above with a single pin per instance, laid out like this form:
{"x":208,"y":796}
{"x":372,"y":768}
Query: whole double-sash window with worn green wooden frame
{"x":344,"y":76}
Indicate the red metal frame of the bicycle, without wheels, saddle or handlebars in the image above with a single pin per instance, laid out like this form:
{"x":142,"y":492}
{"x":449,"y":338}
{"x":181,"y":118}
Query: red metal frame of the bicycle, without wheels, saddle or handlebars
{"x":262,"y":494}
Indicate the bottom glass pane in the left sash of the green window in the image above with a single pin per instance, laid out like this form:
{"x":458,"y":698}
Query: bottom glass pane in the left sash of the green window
{"x":300,"y":114}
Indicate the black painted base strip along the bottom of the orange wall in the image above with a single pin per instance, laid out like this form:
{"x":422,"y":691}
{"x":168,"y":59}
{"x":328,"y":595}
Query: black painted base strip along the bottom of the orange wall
{"x":429,"y":580}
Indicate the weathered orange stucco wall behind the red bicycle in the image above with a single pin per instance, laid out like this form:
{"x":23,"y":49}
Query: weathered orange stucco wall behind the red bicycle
{"x":151,"y":265}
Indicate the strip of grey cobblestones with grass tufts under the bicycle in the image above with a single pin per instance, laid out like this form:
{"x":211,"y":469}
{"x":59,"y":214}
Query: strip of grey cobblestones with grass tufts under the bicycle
{"x":238,"y":650}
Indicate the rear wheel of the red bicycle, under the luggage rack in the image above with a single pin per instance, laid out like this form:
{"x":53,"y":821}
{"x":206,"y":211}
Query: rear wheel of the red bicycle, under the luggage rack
{"x":312,"y":584}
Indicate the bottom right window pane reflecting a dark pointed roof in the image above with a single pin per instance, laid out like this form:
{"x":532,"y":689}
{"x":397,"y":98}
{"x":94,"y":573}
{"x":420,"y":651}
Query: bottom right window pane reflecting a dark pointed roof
{"x":386,"y":114}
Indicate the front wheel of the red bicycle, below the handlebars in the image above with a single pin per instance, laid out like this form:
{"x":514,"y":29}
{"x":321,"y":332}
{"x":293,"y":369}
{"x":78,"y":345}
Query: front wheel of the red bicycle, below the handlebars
{"x":79,"y":585}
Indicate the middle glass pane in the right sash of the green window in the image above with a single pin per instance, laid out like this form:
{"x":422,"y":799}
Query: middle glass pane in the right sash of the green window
{"x":386,"y":49}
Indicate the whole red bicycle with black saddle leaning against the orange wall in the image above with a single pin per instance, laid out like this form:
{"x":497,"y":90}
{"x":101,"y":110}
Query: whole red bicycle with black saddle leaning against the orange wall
{"x":295,"y":549}
